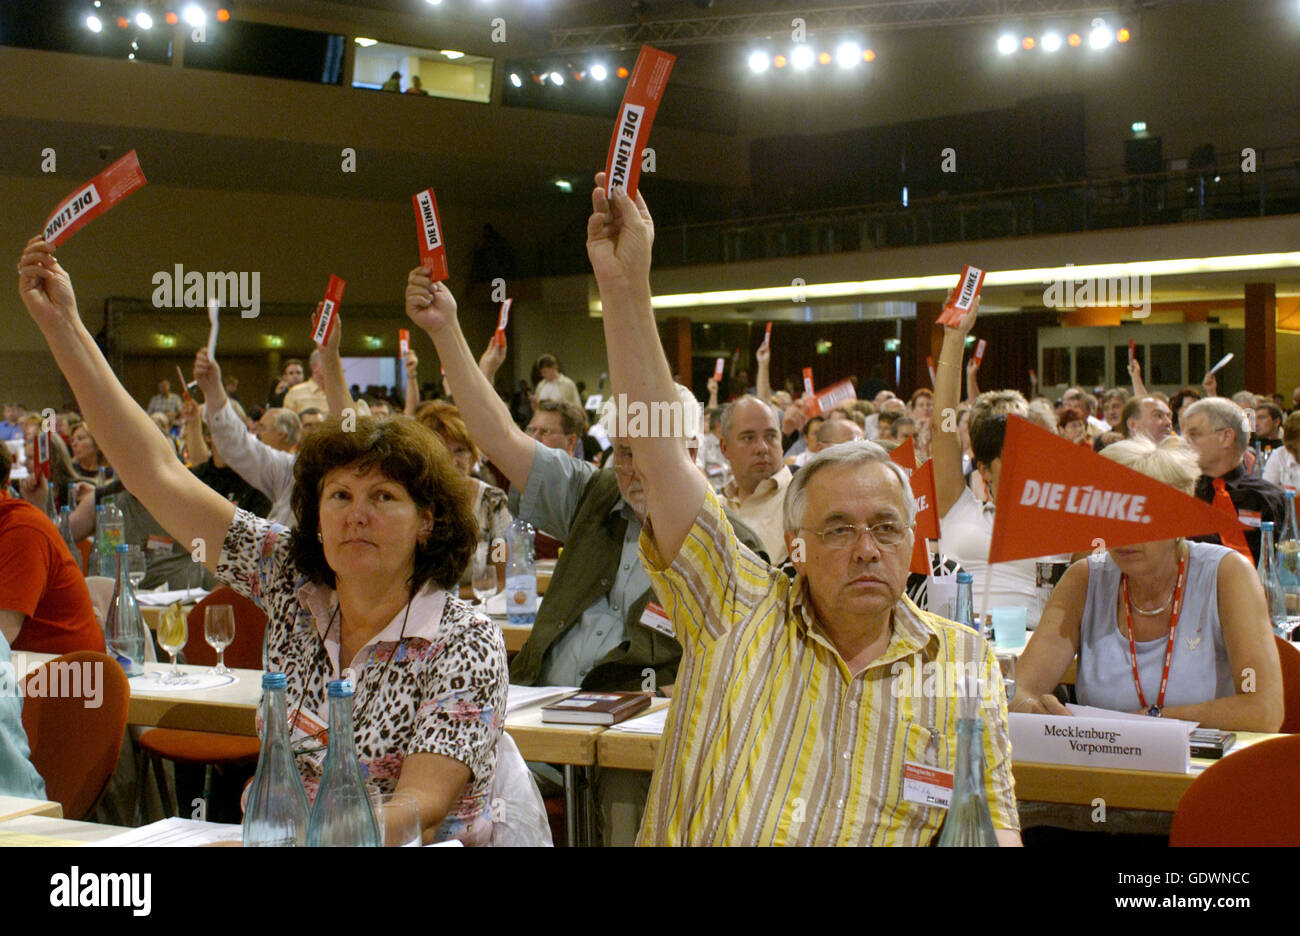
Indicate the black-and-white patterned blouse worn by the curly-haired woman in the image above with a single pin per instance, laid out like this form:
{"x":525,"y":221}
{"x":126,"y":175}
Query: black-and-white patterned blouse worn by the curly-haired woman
{"x":434,"y":681}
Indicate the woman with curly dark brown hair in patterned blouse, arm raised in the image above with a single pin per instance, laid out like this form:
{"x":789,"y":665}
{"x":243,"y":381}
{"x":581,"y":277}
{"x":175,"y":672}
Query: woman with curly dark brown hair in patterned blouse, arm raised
{"x":385,"y":530}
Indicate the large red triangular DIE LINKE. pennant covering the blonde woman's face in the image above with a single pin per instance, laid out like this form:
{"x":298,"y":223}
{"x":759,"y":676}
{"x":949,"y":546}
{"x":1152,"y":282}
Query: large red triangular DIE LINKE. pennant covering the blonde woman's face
{"x":1059,"y":497}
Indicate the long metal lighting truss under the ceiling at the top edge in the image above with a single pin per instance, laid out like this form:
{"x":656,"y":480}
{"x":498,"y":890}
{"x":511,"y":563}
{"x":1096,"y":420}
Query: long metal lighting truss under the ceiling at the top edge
{"x":882,"y":15}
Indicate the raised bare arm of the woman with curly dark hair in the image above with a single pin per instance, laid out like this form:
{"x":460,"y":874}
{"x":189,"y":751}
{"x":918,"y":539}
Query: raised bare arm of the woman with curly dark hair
{"x":146,"y":462}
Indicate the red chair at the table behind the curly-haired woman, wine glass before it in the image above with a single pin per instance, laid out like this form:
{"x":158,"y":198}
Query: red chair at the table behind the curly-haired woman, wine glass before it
{"x":209,"y":749}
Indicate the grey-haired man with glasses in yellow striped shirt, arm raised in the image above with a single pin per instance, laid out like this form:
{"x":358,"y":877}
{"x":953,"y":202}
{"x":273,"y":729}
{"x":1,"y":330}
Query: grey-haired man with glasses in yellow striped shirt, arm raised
{"x":798,"y":705}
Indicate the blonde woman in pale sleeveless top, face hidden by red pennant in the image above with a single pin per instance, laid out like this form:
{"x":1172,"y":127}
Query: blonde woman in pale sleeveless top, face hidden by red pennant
{"x":1169,"y":629}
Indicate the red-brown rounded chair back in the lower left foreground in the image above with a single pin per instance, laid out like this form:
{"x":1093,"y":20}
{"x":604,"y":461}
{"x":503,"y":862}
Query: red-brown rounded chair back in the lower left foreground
{"x":75,"y":748}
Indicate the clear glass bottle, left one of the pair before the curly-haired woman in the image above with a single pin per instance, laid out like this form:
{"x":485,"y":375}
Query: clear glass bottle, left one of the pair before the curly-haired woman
{"x":278,"y":812}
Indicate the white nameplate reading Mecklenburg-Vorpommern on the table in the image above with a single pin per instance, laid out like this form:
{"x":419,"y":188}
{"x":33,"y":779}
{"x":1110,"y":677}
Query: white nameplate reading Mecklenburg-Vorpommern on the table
{"x":1147,"y":744}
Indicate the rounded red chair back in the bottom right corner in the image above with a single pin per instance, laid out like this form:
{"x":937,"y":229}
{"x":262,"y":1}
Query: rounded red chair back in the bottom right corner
{"x":1245,"y":799}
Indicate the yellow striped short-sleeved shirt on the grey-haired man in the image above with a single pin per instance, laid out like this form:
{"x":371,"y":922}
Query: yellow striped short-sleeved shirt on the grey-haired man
{"x":770,"y":742}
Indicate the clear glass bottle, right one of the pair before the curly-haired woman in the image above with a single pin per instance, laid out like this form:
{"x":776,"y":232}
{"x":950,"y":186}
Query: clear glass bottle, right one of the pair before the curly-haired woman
{"x":343,"y":813}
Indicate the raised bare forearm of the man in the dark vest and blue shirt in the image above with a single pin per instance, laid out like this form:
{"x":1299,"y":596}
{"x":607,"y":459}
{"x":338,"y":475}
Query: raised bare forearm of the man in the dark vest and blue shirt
{"x":432,"y":307}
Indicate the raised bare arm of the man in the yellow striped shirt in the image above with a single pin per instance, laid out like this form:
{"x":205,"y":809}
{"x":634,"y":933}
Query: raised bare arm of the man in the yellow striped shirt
{"x":619,"y":236}
